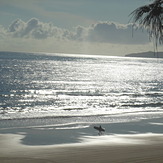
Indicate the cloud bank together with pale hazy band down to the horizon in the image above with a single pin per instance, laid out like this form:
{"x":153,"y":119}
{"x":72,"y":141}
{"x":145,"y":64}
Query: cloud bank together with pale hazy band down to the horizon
{"x":107,"y":38}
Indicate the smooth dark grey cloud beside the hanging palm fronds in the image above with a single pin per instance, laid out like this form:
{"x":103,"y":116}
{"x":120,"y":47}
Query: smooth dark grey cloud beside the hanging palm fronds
{"x":116,"y":33}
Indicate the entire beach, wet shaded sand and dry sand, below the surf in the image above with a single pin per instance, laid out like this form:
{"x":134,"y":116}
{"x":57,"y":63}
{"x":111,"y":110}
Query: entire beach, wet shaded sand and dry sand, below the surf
{"x":114,"y":147}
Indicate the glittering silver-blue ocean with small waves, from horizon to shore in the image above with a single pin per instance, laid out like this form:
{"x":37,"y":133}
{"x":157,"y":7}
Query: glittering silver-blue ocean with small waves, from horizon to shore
{"x":54,"y":89}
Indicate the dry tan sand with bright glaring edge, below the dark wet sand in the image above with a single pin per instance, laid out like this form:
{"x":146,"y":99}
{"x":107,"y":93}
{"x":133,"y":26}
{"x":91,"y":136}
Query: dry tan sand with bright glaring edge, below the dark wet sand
{"x":120,"y":149}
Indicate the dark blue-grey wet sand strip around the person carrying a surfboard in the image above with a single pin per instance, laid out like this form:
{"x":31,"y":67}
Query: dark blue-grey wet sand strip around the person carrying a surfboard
{"x":68,"y":133}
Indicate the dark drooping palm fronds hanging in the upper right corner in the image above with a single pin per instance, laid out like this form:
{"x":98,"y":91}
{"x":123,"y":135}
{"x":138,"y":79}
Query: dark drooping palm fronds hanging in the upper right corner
{"x":150,"y":17}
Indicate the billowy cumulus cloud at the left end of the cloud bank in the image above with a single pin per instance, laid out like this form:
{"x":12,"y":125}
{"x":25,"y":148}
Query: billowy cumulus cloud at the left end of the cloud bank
{"x":34,"y":29}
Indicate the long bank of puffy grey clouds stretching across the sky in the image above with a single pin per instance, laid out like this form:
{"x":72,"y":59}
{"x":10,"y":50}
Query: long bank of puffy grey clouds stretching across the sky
{"x":107,"y":32}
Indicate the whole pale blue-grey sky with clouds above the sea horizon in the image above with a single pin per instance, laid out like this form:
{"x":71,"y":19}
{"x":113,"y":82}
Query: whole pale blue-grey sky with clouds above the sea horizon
{"x":100,"y":27}
